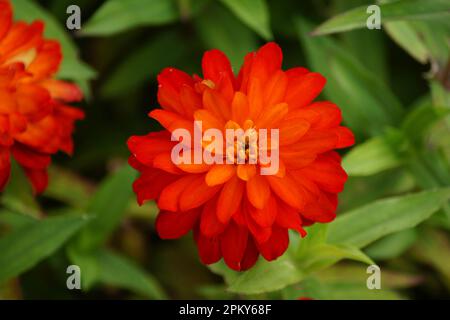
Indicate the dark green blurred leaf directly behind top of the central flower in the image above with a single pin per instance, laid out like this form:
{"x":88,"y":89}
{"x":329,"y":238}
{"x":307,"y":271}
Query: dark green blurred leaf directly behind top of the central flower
{"x":219,"y":29}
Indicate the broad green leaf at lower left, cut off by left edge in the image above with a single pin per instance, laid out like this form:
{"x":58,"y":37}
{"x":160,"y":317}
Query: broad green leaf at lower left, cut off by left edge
{"x":24,"y":247}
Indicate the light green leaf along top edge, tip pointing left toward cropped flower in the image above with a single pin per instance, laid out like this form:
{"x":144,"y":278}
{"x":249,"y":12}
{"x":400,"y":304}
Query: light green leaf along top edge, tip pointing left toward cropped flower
{"x":115,"y":16}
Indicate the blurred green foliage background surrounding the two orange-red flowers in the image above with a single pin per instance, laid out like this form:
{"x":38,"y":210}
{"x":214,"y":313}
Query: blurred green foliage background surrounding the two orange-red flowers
{"x":392,"y":85}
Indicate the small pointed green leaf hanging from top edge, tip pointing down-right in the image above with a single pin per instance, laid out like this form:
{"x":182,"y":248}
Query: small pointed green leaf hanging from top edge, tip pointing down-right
{"x":253,"y":13}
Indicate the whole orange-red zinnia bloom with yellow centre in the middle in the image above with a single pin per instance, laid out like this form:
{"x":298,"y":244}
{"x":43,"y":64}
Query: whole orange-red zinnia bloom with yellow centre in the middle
{"x":235,"y":212}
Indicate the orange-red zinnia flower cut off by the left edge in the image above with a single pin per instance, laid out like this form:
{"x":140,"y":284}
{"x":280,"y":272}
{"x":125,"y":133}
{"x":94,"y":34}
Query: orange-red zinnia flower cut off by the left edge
{"x":35,"y":122}
